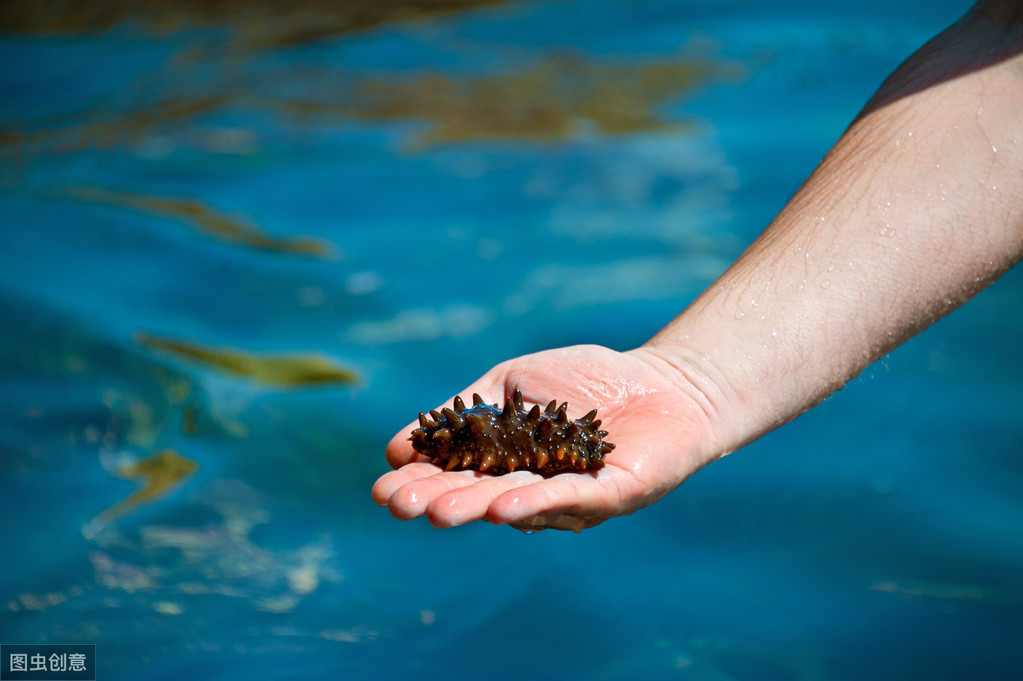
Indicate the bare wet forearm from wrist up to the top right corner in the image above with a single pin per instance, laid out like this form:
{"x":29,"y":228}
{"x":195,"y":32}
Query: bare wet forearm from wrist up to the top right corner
{"x":915,"y":210}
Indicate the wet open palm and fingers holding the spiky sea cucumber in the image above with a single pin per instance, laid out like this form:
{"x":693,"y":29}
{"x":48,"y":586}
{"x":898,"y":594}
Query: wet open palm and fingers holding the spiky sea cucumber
{"x":657,"y":425}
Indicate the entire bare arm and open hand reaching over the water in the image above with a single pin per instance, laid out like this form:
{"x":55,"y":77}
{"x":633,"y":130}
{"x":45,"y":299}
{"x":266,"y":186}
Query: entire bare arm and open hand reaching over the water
{"x":915,"y":210}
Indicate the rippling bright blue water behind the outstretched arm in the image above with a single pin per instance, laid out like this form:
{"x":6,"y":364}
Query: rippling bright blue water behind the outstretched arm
{"x":879,"y":537}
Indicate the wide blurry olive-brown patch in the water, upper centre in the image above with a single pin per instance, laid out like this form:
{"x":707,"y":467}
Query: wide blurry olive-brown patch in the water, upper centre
{"x":555,"y":99}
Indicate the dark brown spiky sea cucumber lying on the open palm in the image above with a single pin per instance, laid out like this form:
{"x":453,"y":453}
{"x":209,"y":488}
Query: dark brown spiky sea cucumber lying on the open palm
{"x":492,"y":440}
